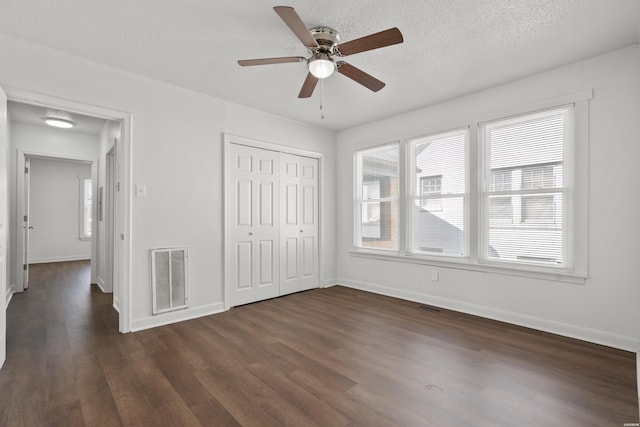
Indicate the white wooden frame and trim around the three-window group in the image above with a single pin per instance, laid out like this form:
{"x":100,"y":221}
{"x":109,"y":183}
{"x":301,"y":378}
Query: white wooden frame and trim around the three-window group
{"x":577,"y":179}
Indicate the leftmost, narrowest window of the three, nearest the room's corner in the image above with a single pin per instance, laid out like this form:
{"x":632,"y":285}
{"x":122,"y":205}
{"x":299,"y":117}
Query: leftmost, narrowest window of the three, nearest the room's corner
{"x":377,"y":198}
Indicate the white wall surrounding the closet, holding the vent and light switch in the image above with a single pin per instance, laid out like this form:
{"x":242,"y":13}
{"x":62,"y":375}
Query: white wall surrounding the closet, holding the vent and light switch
{"x":177,"y":154}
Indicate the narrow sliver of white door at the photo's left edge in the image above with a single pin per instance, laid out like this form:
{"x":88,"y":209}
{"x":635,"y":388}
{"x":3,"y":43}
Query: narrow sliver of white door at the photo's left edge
{"x":3,"y":228}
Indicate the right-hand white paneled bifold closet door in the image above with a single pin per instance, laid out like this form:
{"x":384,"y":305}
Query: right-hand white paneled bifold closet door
{"x":298,"y":224}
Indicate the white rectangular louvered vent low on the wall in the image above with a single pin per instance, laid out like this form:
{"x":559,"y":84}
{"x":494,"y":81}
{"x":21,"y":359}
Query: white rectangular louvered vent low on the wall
{"x":169,"y":279}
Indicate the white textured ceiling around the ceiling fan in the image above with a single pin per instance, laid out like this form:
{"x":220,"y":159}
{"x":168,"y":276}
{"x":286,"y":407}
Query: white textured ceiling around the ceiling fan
{"x":451,"y":47}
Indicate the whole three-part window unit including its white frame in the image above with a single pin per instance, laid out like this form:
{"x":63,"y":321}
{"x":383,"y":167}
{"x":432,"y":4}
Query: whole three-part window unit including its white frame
{"x":496,"y":196}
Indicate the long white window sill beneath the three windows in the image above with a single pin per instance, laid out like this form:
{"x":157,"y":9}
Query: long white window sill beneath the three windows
{"x":465,"y":264}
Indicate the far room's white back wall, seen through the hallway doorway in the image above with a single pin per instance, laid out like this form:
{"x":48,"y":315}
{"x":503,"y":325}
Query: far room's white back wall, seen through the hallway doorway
{"x":55,"y":202}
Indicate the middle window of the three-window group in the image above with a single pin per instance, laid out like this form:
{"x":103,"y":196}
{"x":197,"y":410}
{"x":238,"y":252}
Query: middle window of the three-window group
{"x":438,"y":206}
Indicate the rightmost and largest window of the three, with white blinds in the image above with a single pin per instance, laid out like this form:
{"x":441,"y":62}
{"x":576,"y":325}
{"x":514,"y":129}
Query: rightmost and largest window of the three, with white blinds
{"x":526,"y":197}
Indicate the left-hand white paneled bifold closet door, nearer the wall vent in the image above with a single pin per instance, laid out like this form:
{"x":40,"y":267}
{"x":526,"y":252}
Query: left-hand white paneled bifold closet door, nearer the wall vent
{"x":253,"y":226}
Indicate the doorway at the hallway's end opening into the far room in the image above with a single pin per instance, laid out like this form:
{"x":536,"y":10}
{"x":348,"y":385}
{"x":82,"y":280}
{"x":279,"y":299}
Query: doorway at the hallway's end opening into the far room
{"x":55,"y":213}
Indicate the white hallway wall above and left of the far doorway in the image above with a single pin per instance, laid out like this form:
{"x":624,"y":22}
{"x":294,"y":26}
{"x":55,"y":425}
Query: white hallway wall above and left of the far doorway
{"x":44,"y":140}
